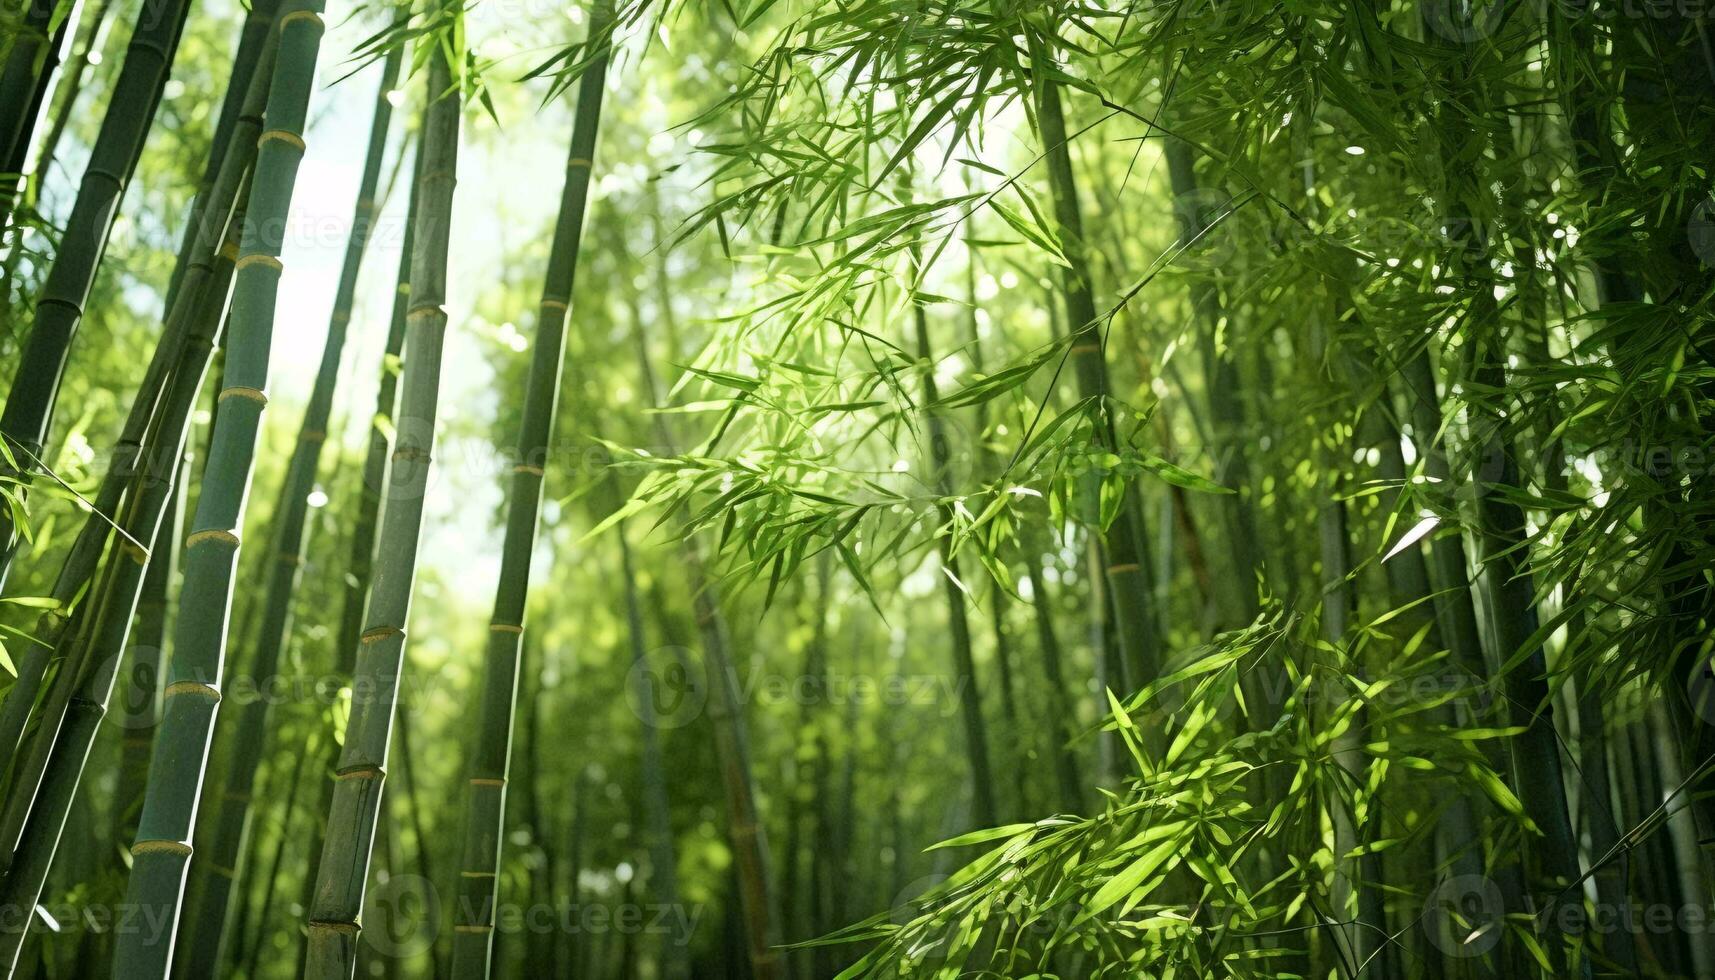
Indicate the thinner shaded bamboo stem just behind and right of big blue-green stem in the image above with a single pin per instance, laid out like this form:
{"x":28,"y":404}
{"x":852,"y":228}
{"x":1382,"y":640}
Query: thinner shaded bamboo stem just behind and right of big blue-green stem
{"x":224,"y":864}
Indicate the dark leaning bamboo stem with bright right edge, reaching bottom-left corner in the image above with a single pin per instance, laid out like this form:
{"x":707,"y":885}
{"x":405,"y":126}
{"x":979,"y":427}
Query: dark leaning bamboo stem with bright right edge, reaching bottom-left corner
{"x":93,"y":677}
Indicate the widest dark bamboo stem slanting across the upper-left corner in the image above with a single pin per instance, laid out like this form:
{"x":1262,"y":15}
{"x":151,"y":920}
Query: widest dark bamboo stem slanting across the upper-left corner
{"x":61,"y":306}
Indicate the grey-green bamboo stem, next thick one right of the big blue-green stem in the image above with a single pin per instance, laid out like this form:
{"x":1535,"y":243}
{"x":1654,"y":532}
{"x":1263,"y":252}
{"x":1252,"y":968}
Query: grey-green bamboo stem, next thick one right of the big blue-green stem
{"x":340,"y":878}
